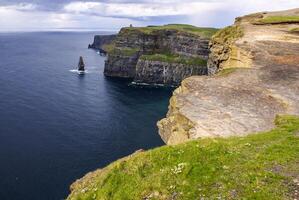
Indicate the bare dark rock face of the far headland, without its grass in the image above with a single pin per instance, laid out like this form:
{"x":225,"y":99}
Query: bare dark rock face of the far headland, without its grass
{"x":138,"y":43}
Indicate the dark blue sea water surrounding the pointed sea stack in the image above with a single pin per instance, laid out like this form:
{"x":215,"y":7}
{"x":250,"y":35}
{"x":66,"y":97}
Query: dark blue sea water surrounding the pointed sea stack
{"x":55,"y":125}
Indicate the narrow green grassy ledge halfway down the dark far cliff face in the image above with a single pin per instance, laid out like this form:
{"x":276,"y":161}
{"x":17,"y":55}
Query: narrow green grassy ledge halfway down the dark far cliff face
{"x":170,"y":58}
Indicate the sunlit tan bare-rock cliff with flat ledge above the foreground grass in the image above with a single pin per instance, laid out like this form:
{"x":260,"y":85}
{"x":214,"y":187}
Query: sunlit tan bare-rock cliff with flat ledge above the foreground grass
{"x":257,"y":60}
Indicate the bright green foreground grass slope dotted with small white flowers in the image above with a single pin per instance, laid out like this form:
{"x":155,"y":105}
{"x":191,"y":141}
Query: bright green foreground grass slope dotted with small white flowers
{"x":258,"y":166}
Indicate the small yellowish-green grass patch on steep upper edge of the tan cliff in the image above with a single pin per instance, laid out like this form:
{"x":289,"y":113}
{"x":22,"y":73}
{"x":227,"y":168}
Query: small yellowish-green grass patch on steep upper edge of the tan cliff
{"x":228,"y":34}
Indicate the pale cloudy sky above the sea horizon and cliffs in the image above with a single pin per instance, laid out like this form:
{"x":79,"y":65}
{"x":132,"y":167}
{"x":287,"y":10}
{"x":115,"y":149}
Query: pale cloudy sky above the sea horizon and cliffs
{"x":111,"y":15}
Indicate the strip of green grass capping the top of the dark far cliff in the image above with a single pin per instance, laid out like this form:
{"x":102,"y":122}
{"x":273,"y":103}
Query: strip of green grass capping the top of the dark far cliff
{"x":198,"y":31}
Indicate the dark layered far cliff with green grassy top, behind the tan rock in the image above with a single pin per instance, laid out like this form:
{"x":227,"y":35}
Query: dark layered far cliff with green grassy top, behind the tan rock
{"x":159,"y":54}
